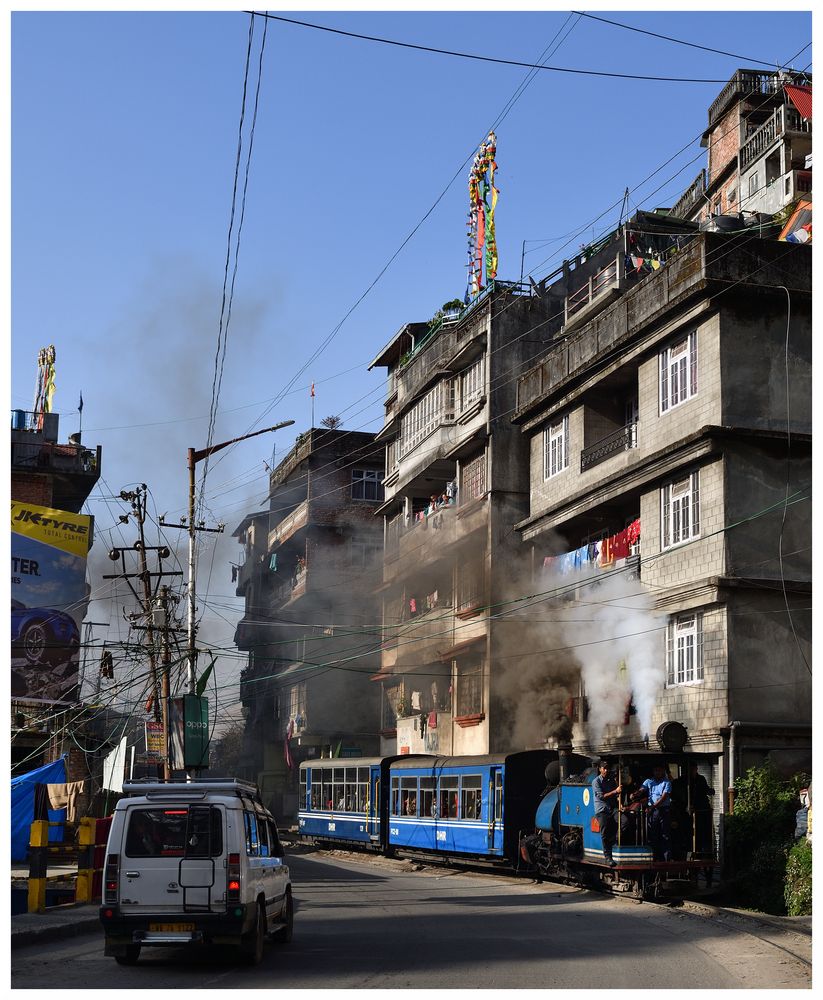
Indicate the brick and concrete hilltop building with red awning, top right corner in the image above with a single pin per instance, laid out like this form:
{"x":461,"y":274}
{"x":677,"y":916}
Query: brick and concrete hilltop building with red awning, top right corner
{"x":759,"y":141}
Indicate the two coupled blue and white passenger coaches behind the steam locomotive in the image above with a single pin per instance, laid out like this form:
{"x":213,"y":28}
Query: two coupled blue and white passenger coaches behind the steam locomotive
{"x":476,"y":807}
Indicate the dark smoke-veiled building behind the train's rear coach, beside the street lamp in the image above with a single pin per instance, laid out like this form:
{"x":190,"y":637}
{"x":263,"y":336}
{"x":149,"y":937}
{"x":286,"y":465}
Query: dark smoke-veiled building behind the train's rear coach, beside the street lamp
{"x":311,"y":622}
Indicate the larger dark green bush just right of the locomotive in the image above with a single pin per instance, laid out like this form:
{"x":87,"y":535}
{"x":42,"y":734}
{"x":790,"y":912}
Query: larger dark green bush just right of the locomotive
{"x":758,"y":837}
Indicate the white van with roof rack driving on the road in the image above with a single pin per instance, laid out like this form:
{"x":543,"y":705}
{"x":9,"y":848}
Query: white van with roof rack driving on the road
{"x":193,"y":862}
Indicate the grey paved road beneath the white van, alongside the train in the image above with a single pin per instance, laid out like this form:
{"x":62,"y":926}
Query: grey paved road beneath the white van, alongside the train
{"x":374,"y":923}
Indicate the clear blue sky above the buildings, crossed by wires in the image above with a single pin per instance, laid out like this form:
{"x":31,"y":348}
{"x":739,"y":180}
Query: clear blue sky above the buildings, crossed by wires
{"x":124,"y":139}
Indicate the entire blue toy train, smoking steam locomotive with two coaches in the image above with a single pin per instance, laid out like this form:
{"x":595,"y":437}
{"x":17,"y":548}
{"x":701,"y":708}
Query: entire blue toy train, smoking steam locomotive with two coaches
{"x":532,"y":811}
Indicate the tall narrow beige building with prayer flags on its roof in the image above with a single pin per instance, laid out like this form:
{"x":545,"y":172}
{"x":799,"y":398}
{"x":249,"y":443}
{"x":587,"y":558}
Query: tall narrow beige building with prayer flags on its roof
{"x":456,"y":482}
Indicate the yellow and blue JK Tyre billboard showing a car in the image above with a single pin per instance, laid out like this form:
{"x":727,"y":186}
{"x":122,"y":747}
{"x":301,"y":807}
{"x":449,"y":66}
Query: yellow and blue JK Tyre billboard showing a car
{"x":48,"y":600}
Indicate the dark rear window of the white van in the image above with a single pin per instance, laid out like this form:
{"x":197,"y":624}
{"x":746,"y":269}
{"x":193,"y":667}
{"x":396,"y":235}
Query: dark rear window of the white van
{"x":183,"y":831}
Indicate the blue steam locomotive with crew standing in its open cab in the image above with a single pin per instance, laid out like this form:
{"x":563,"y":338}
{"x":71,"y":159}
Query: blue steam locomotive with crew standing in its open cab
{"x":567,"y":842}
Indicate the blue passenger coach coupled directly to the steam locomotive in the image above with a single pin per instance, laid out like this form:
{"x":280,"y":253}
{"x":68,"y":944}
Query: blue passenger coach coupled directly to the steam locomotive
{"x":473,"y":806}
